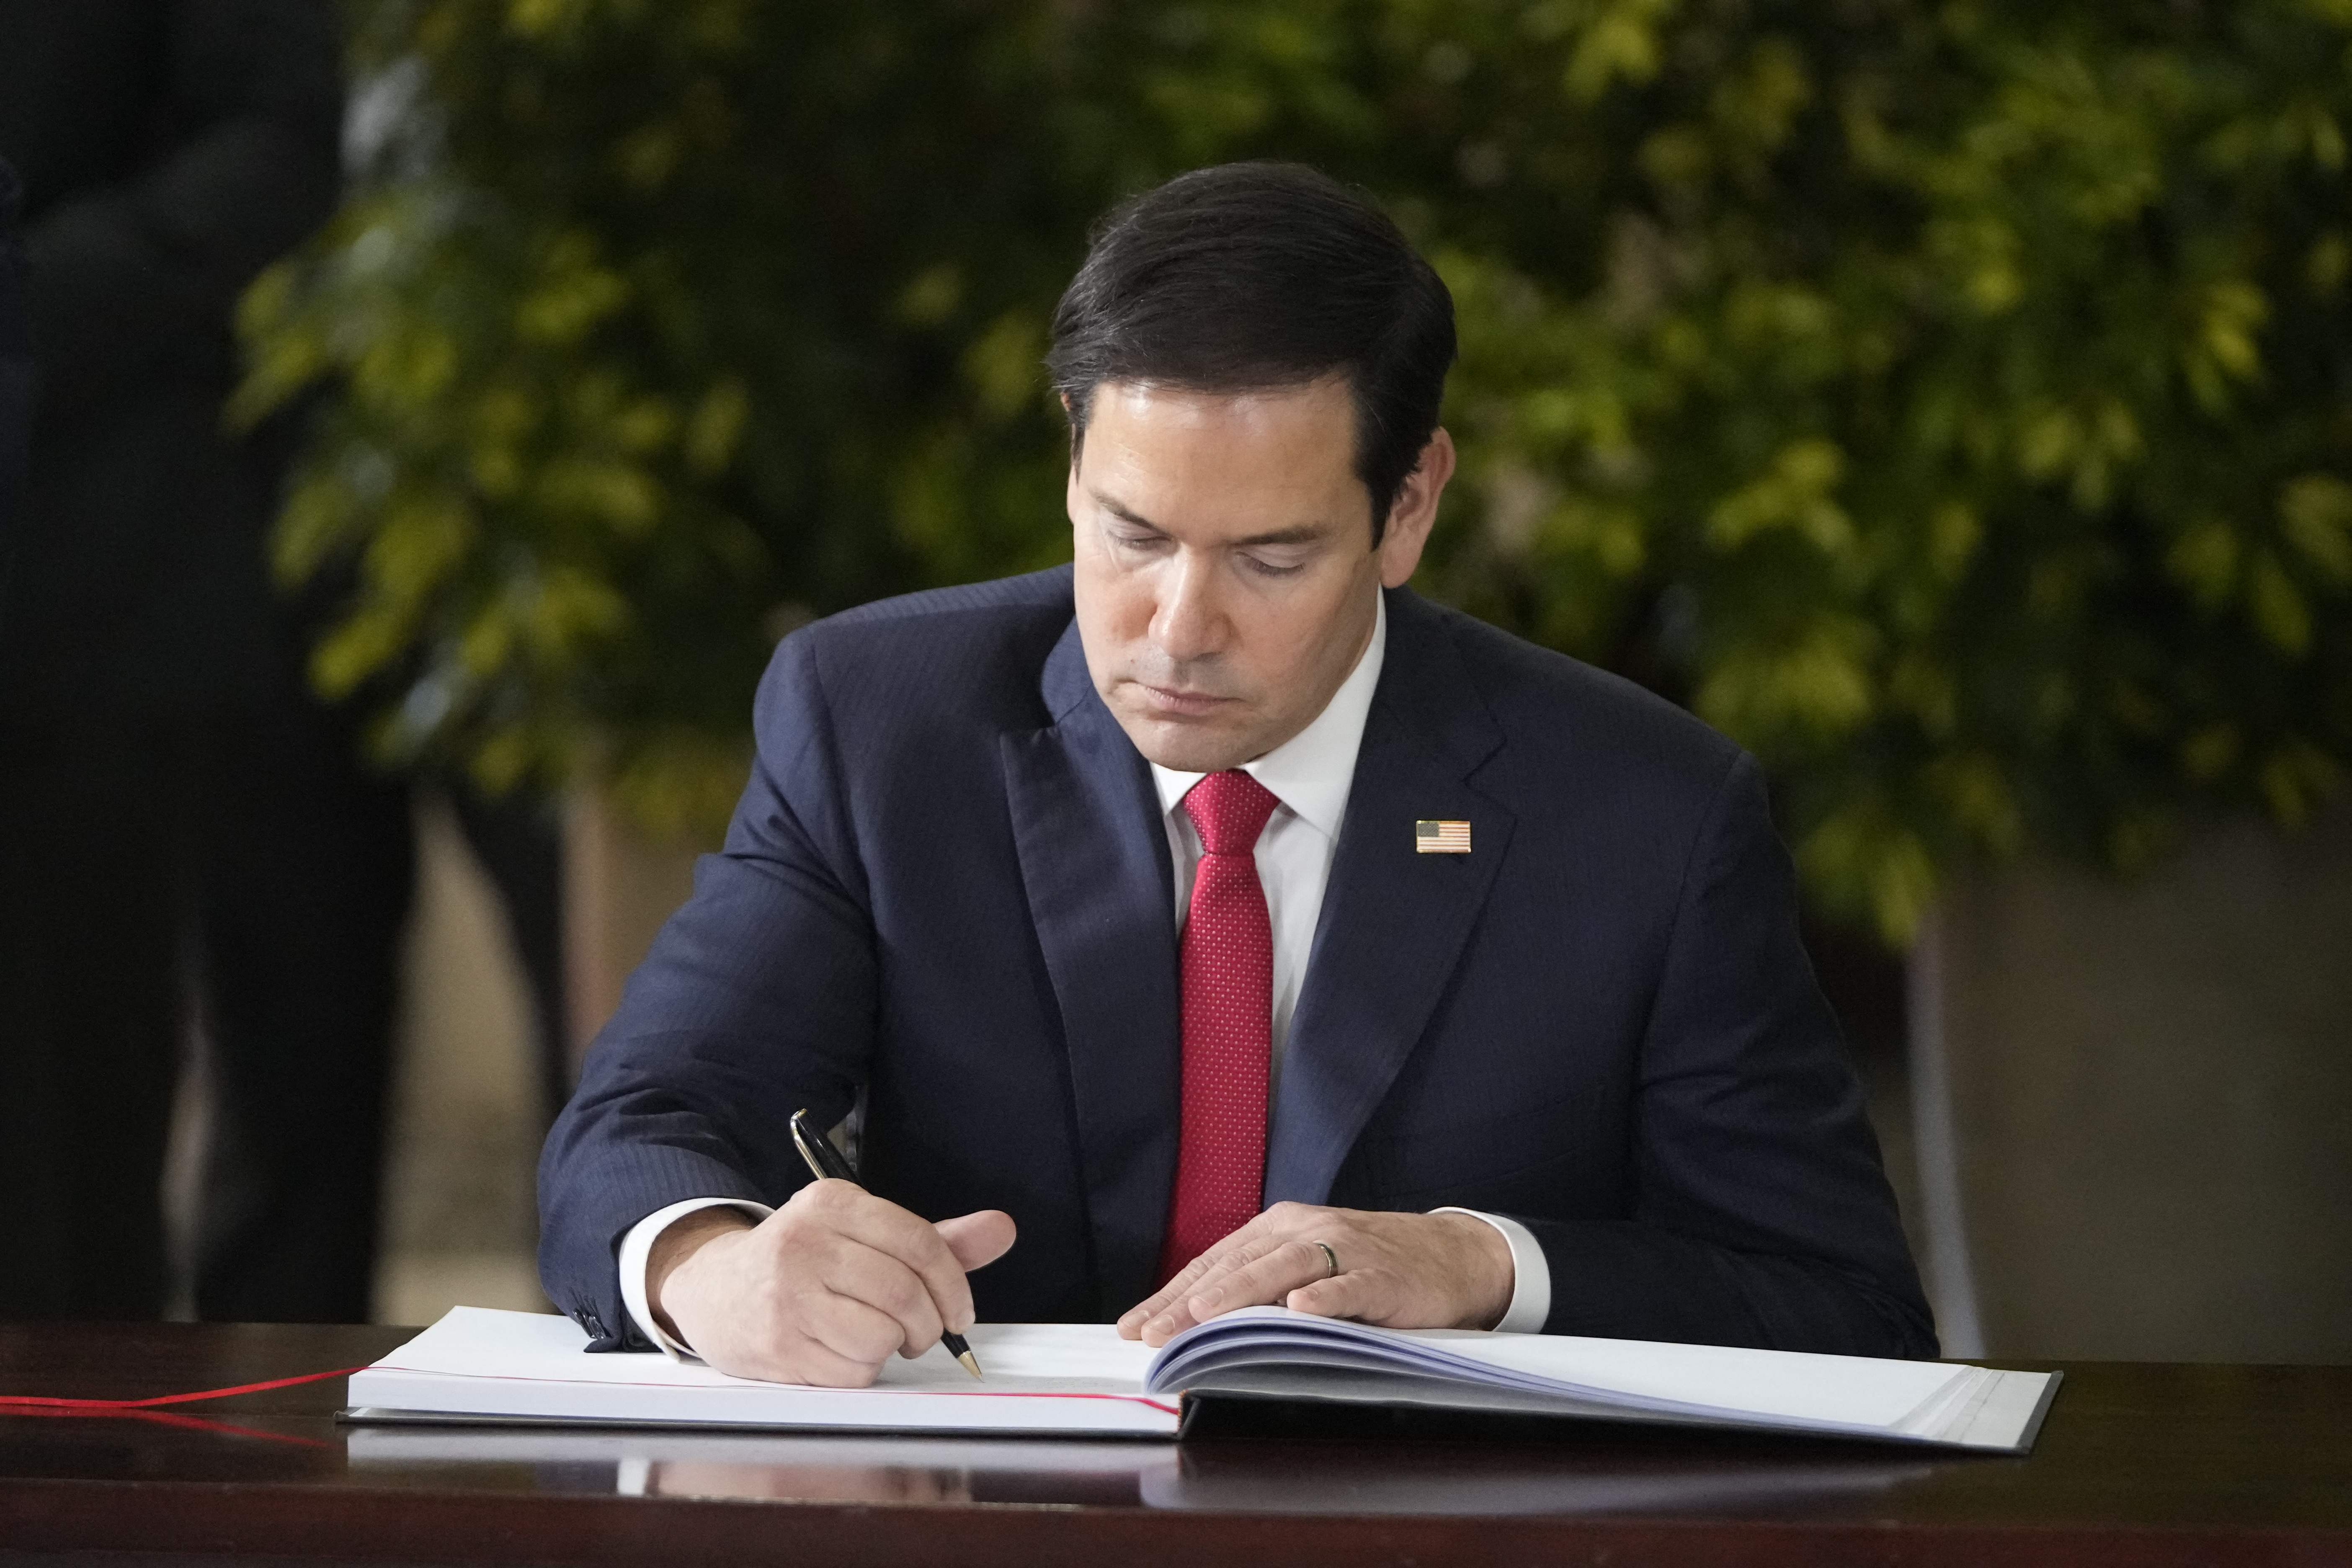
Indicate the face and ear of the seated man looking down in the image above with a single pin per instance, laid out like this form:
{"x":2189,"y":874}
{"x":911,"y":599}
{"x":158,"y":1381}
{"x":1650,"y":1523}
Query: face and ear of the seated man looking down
{"x":1227,"y":575}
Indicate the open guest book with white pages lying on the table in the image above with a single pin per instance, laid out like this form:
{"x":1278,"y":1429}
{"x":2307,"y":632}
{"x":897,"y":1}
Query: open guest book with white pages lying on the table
{"x":1083,"y":1379}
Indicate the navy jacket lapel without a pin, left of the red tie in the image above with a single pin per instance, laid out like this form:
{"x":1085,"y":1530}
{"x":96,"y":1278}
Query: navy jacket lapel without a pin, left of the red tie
{"x":1102,"y":894}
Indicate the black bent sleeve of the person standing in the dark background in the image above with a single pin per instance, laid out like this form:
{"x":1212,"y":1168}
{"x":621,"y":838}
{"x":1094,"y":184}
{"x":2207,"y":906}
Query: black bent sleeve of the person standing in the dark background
{"x":142,"y":279}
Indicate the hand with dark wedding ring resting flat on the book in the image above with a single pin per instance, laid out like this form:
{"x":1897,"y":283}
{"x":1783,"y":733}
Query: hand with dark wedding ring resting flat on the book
{"x":1398,"y":1271}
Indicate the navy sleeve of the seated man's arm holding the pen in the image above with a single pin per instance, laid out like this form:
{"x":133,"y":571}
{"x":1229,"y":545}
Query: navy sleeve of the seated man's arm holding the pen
{"x":756,"y":1000}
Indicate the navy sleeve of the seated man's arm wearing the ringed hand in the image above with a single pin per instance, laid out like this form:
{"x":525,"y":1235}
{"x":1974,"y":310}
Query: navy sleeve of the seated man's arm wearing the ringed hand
{"x":1763,"y":1212}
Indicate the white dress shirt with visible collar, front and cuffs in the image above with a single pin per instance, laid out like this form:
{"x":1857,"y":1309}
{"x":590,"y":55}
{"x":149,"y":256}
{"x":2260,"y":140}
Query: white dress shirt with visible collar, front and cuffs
{"x":1311,"y":777}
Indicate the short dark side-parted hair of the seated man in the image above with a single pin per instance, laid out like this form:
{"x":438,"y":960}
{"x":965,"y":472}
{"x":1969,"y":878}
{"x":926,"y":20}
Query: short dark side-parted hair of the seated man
{"x":1259,"y":276}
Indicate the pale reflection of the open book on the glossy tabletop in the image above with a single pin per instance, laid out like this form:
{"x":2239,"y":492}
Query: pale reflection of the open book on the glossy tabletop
{"x":1222,"y":1477}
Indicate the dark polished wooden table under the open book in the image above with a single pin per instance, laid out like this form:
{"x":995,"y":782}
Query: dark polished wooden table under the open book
{"x":2137,"y":1466}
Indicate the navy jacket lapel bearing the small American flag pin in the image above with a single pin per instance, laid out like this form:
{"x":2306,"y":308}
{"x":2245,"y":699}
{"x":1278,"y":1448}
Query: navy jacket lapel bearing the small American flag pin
{"x":1394,"y":923}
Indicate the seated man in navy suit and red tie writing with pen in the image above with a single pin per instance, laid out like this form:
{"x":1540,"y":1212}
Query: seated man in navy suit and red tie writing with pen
{"x":1224,"y":920}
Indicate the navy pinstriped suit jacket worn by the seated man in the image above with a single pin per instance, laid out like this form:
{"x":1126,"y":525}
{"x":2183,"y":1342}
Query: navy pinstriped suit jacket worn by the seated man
{"x":949,"y":885}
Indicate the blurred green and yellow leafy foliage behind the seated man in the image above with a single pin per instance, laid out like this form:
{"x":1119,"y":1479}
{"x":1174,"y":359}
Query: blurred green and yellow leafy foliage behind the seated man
{"x":1946,"y":401}
